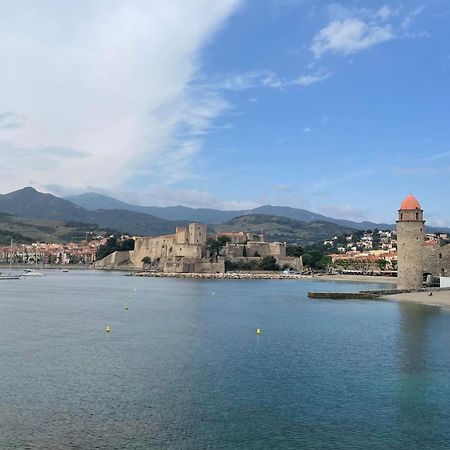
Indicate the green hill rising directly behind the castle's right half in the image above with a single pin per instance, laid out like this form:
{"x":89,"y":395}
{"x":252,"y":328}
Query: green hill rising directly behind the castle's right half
{"x":284,"y":229}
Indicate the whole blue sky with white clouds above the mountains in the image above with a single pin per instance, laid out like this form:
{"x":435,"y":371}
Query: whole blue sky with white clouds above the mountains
{"x":341,"y":108}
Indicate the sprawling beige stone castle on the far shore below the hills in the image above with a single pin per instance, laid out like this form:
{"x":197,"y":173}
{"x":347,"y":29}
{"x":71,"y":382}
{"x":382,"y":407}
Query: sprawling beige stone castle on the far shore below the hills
{"x":186,"y":251}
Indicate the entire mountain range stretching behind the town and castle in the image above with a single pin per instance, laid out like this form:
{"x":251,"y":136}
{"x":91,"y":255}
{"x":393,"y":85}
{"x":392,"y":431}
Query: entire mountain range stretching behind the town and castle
{"x":98,"y":212}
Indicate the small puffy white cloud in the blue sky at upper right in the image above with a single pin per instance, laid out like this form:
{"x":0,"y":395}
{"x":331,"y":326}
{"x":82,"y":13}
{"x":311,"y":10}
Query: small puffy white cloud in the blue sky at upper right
{"x":349,"y":36}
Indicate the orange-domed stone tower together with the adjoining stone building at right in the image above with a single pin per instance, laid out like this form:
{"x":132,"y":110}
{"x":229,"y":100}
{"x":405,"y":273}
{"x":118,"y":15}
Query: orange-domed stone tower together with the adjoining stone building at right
{"x":415,"y":259}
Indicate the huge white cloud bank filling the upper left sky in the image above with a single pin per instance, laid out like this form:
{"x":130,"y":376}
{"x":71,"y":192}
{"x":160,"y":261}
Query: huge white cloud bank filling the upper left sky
{"x":106,"y":78}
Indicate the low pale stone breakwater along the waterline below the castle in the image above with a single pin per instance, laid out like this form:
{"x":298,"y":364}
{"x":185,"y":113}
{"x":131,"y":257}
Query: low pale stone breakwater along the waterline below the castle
{"x":224,"y":276}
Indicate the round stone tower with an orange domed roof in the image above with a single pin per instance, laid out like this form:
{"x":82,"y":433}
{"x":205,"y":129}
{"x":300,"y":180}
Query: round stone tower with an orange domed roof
{"x":410,"y":239}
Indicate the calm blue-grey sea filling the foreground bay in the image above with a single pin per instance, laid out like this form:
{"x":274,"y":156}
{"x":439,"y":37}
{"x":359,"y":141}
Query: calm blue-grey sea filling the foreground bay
{"x":183,"y":368}
